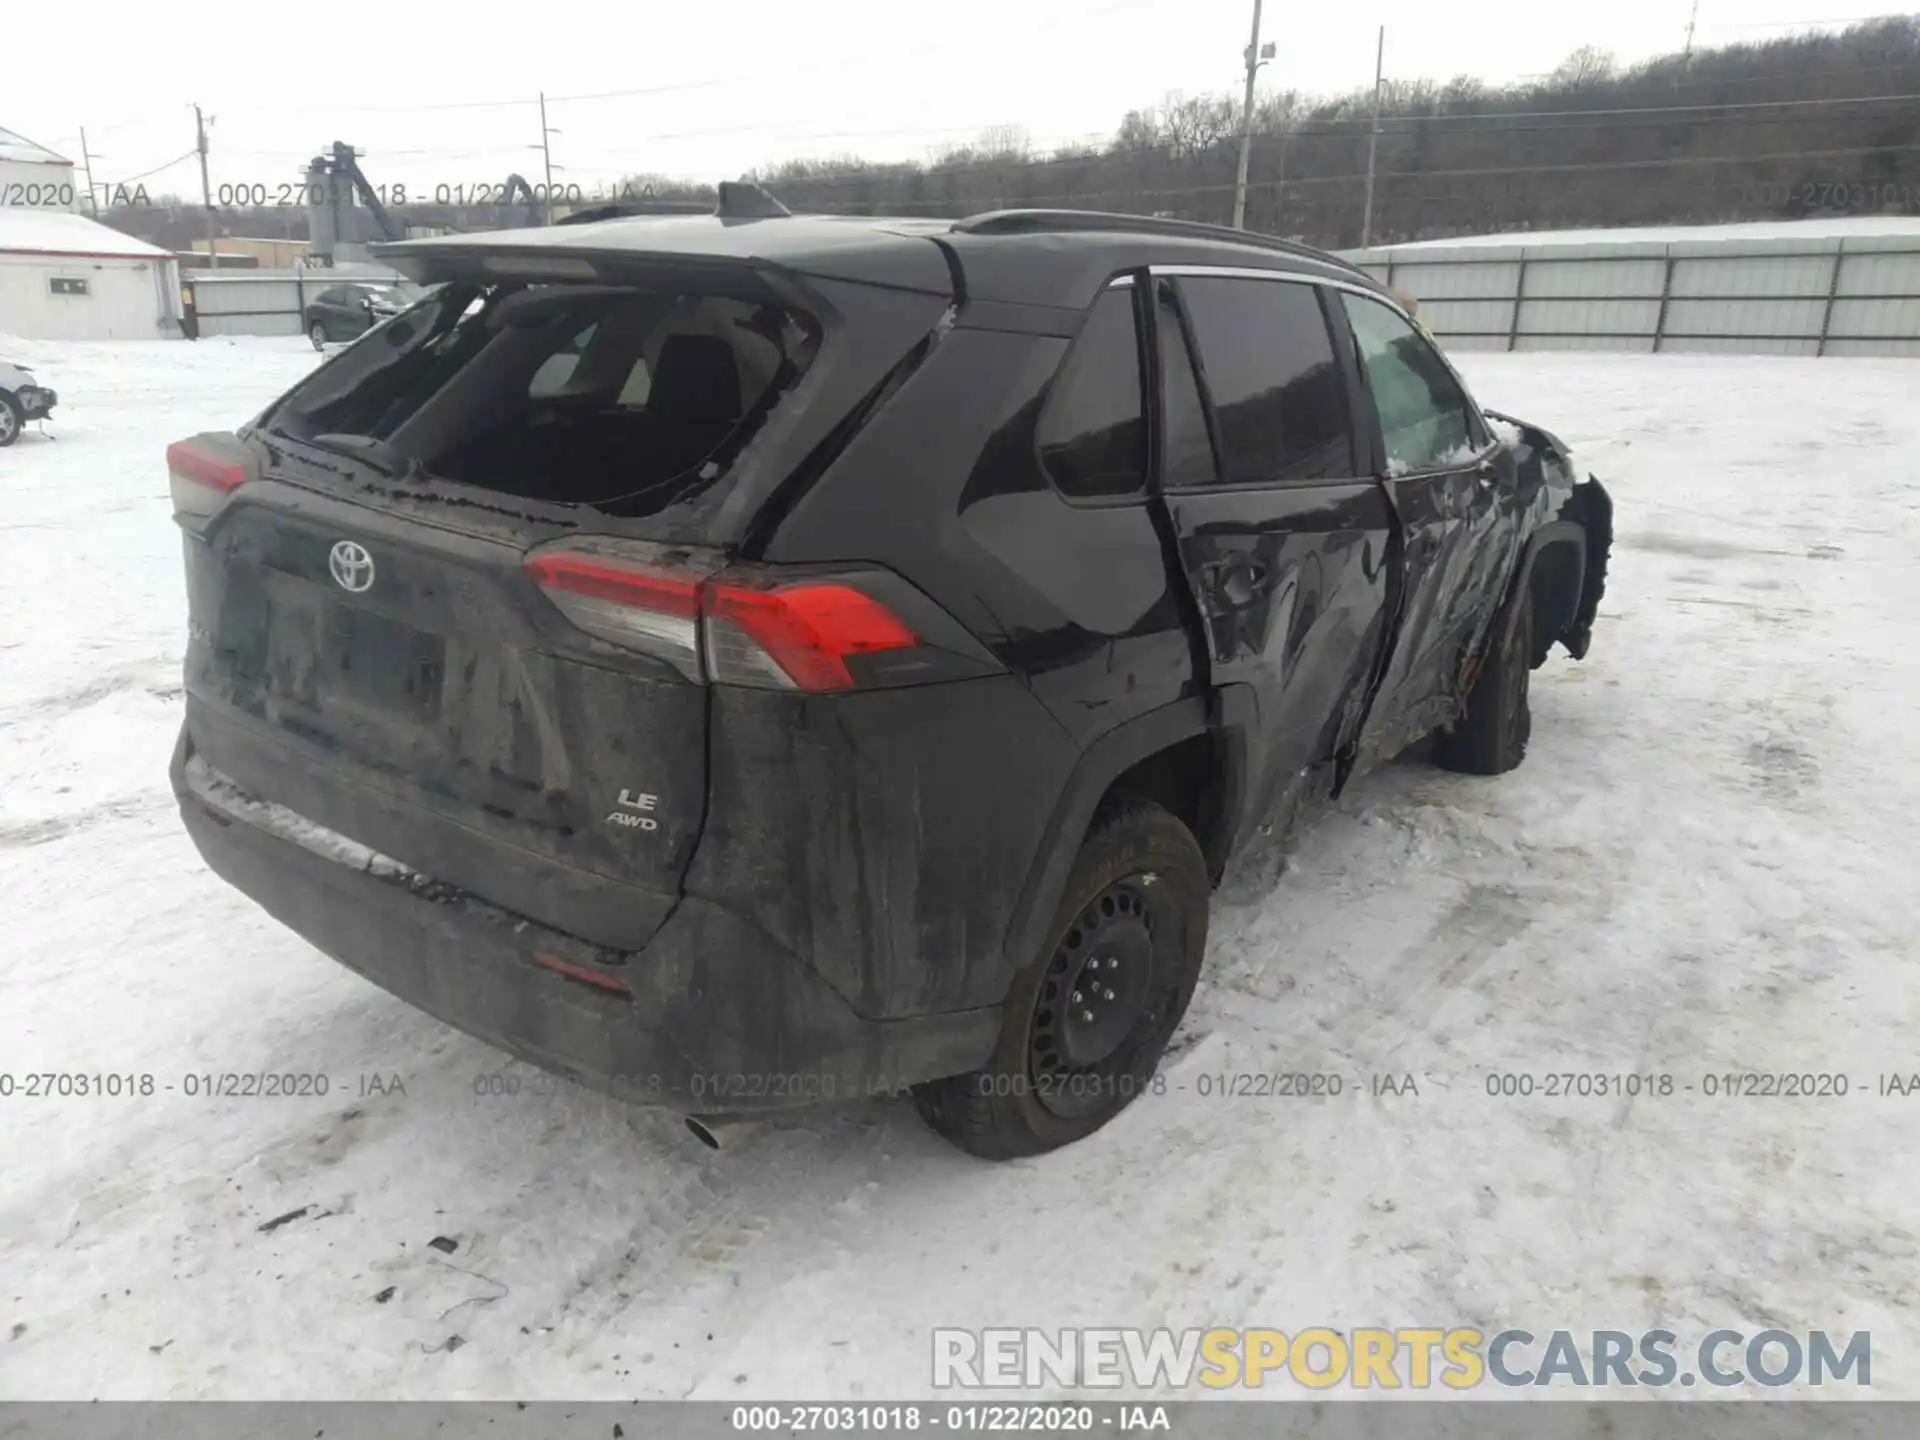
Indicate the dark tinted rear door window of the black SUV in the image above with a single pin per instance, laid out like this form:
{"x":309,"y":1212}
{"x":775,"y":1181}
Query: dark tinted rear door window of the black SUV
{"x":1266,"y":360}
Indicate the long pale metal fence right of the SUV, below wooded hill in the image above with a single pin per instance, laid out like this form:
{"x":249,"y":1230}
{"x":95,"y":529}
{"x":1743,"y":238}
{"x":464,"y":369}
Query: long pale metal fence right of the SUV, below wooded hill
{"x":1788,"y":297}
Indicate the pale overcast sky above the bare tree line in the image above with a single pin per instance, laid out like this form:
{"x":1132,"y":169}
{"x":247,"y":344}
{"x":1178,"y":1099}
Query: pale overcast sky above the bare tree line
{"x":441,"y":95}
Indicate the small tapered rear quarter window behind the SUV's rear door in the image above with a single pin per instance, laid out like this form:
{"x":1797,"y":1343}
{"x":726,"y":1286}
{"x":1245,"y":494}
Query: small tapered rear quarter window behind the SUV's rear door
{"x":1093,"y":431}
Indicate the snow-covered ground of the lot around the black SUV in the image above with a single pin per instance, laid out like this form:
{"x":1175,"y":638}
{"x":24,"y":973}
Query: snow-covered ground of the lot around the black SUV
{"x":1704,"y":867}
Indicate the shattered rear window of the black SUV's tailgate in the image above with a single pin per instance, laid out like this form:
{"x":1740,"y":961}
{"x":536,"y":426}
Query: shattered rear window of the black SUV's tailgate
{"x":573,"y":395}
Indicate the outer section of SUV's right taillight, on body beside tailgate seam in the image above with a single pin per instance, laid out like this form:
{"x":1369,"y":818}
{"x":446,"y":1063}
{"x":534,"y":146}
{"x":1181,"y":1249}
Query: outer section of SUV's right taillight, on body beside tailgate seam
{"x":796,"y":636}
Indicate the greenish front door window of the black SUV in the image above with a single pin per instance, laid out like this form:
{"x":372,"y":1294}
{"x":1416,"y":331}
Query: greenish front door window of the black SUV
{"x":1426,"y":418}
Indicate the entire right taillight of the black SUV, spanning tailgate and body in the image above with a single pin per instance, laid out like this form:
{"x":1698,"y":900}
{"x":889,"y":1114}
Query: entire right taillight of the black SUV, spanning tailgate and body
{"x":742,"y":627}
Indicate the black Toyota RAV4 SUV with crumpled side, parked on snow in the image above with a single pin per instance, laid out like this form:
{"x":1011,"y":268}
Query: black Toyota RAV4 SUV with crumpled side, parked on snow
{"x":746,"y":661}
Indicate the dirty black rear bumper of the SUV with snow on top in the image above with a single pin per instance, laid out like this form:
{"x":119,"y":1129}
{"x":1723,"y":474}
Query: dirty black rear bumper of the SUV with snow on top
{"x":717,"y":1017}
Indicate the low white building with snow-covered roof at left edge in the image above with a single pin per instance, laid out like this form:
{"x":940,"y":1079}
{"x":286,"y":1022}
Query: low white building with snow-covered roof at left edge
{"x":66,"y":277}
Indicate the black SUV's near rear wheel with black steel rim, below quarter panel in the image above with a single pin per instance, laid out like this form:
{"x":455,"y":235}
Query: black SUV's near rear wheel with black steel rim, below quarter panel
{"x":1124,"y":951}
